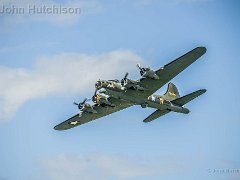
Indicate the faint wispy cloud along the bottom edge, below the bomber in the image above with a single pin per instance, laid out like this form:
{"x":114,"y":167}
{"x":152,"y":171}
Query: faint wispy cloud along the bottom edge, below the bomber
{"x":94,"y":167}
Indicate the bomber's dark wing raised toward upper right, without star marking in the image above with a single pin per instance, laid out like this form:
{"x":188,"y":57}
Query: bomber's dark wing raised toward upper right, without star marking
{"x":170,"y":70}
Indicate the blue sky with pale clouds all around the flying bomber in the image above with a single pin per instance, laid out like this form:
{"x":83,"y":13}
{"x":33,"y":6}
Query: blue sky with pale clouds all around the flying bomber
{"x":49,"y":61}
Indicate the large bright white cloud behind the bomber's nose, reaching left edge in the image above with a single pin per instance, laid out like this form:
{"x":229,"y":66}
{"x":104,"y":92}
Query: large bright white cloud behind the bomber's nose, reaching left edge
{"x":66,"y":74}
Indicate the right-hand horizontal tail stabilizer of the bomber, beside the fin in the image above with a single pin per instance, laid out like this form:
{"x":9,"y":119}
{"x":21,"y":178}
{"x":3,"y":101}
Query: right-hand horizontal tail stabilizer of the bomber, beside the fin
{"x":185,"y":99}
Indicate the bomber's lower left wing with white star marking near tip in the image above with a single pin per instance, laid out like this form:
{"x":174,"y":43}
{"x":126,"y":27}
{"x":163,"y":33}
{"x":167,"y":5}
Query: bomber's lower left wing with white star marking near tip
{"x":87,"y":117}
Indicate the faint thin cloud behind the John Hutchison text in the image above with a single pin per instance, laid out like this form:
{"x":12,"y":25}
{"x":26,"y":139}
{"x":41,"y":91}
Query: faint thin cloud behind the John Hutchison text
{"x":11,"y":19}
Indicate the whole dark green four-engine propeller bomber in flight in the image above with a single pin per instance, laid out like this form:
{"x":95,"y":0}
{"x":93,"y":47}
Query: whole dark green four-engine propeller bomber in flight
{"x":113,"y":95}
